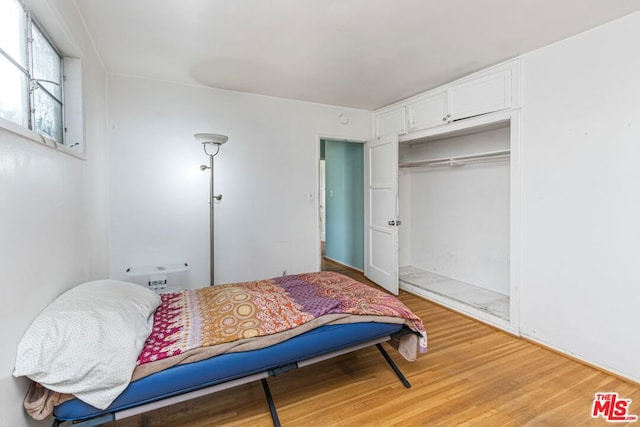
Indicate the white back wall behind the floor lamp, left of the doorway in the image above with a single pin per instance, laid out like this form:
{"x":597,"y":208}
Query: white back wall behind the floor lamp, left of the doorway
{"x":159,"y":199}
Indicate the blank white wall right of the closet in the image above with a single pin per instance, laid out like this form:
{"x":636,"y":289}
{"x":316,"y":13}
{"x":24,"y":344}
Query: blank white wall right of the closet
{"x":581,"y":196}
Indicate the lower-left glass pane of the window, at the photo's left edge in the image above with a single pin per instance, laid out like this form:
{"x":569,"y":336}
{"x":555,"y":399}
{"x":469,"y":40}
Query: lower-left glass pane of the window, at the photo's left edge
{"x":14,"y":101}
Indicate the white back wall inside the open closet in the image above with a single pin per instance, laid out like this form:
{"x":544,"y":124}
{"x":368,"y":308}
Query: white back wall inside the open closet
{"x":458,"y":217}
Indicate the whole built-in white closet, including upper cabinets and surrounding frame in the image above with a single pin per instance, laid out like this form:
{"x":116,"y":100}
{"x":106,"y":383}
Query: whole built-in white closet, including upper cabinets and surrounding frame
{"x":457,"y":205}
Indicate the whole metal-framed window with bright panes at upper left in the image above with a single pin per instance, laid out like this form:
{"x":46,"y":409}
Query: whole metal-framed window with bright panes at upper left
{"x":31,"y":74}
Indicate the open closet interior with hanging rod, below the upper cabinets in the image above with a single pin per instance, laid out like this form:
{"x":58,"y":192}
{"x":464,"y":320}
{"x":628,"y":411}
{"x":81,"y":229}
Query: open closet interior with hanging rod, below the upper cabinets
{"x":455,"y":205}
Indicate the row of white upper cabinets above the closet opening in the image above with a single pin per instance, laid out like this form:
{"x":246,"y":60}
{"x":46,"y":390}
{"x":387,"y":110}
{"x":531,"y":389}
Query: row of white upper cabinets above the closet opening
{"x":481,"y":93}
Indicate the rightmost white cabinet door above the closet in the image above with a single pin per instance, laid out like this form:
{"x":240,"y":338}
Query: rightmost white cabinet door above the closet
{"x":480,"y":96}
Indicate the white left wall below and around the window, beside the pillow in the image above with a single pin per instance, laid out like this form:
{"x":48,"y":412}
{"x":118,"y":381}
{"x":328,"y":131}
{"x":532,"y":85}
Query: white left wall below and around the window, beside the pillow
{"x":53,"y":217}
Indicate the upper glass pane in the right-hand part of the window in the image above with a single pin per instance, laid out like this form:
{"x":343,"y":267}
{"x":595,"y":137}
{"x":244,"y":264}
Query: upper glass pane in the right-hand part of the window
{"x":47,"y":64}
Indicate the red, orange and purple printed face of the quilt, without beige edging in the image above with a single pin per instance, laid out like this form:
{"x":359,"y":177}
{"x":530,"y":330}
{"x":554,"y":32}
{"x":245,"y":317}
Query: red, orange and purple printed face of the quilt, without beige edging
{"x":225,"y":314}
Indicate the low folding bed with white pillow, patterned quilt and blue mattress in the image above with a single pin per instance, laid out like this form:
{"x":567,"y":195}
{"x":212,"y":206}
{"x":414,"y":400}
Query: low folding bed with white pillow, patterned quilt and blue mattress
{"x":189,"y":344}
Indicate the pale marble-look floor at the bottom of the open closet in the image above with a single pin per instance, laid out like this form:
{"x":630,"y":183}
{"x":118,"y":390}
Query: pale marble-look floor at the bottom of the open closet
{"x":479,"y":298}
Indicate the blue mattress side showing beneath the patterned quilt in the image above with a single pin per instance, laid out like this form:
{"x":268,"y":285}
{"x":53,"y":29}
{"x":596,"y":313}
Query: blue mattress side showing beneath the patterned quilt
{"x":193,"y":376}
